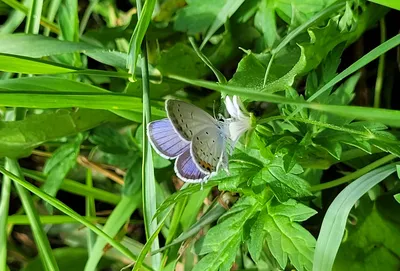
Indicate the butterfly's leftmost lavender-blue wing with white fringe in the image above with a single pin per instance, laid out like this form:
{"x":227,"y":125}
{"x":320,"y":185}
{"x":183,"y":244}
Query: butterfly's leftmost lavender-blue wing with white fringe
{"x":164,"y":139}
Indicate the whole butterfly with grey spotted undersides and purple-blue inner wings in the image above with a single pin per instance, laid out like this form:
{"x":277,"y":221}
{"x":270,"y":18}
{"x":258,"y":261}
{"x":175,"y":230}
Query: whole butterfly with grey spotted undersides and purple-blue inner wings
{"x":193,"y":137}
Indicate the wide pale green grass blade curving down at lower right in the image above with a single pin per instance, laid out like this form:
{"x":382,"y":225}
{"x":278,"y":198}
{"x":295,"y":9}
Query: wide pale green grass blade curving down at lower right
{"x":334,"y":222}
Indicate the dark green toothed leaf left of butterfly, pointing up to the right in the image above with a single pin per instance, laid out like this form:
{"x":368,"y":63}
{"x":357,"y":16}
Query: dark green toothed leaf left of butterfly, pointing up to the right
{"x":59,"y":164}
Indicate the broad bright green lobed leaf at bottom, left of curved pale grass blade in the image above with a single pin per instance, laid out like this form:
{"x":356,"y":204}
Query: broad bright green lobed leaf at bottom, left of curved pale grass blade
{"x":276,"y":223}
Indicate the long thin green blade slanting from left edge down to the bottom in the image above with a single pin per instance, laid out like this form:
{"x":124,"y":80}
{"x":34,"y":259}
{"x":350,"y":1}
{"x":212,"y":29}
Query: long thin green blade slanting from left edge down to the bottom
{"x":68,"y":211}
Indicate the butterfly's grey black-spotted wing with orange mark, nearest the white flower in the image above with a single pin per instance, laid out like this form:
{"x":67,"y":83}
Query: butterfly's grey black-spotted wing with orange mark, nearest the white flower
{"x":208,"y":149}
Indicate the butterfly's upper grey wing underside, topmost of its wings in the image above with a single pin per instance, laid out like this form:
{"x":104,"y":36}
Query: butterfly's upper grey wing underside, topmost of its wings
{"x":188,"y":119}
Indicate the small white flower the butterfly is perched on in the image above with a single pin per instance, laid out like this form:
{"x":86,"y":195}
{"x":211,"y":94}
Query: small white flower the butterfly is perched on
{"x":240,"y":120}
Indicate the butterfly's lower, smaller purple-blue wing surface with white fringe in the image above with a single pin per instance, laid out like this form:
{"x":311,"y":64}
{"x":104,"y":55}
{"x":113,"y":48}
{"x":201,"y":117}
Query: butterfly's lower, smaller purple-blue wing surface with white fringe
{"x":187,"y":170}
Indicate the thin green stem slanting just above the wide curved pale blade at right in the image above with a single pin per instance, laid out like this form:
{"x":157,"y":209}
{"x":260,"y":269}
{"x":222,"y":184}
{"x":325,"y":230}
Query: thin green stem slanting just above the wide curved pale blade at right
{"x":354,"y":175}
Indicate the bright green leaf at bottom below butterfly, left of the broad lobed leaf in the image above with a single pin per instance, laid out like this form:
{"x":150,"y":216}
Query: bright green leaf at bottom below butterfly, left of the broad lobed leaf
{"x":222,"y":241}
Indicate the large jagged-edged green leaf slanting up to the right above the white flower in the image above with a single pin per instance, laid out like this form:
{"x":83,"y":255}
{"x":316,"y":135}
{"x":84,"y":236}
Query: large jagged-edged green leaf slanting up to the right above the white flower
{"x":293,"y":61}
